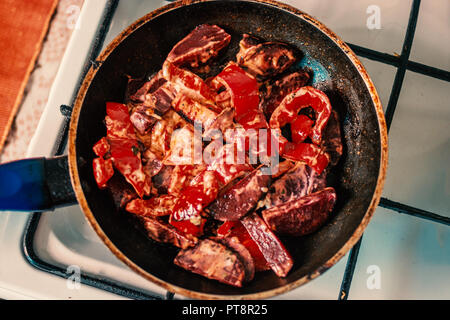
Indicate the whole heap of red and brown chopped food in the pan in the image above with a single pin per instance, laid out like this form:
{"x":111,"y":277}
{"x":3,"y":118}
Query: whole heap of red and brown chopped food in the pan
{"x":224,"y":165}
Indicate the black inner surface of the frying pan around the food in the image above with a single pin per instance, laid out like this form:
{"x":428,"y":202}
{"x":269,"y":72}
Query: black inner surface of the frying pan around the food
{"x":143,"y":52}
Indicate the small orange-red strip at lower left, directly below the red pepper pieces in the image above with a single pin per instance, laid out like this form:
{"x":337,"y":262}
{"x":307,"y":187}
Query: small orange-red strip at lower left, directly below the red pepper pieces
{"x":154,"y":207}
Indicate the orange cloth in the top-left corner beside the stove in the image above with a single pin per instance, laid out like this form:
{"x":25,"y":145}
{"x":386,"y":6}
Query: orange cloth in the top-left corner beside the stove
{"x":23,"y":26}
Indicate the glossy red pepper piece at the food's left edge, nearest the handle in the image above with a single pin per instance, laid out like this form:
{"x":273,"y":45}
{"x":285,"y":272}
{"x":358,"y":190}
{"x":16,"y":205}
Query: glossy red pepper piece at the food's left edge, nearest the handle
{"x":126,"y":157}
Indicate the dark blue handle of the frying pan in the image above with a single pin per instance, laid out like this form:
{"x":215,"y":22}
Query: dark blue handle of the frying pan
{"x":36,"y":184}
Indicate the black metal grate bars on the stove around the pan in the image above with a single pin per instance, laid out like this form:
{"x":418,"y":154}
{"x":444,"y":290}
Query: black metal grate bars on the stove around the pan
{"x":401,"y":62}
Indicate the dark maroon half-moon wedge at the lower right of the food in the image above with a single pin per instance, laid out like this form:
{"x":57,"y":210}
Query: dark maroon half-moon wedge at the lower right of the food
{"x":301,"y":216}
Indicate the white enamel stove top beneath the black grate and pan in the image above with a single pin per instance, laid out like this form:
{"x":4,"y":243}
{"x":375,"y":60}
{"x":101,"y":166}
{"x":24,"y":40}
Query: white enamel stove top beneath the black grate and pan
{"x":410,"y":256}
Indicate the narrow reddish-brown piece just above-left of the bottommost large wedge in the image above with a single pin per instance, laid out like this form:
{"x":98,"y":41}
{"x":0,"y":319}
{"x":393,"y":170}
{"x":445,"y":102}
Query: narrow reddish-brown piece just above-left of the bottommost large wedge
{"x":161,"y":231}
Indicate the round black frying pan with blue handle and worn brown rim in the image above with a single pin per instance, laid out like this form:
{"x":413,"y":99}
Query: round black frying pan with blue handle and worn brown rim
{"x":41,"y":184}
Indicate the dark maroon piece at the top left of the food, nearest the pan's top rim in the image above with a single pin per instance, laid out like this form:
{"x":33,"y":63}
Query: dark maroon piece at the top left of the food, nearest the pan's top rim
{"x":199,"y":46}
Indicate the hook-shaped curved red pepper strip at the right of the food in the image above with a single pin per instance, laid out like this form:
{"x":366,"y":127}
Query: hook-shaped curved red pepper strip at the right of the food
{"x":287,"y":111}
